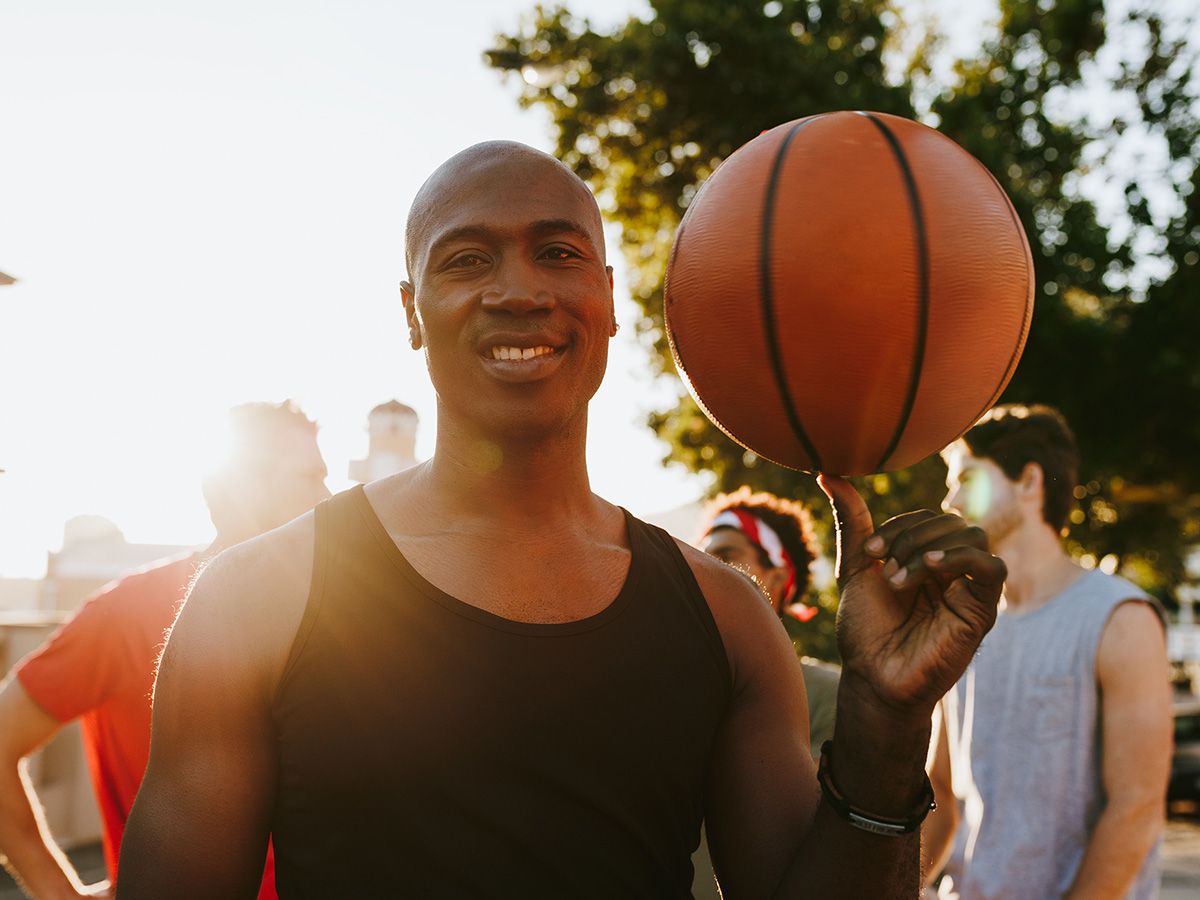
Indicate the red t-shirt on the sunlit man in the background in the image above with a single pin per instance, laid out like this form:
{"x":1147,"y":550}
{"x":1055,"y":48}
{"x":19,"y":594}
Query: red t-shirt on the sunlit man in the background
{"x":100,"y":669}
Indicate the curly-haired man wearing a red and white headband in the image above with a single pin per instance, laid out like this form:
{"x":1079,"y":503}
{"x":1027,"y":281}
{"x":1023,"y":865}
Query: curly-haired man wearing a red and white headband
{"x":772,"y":541}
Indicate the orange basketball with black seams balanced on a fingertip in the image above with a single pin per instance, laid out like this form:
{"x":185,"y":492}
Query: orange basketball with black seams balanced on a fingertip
{"x":849,"y":293}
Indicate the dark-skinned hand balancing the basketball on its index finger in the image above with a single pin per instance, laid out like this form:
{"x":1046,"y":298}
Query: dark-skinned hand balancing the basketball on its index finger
{"x":917,"y":598}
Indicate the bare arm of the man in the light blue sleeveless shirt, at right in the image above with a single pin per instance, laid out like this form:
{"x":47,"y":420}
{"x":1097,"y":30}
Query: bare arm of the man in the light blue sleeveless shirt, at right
{"x":1132,"y":671}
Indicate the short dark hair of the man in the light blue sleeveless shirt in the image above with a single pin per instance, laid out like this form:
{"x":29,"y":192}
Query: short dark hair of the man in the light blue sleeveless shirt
{"x":1013,"y":436}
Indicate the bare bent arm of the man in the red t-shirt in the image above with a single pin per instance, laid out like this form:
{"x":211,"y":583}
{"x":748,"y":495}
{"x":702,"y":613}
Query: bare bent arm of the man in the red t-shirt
{"x":33,"y":857}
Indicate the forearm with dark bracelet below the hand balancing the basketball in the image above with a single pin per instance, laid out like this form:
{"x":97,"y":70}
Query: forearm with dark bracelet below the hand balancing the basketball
{"x":879,"y":766}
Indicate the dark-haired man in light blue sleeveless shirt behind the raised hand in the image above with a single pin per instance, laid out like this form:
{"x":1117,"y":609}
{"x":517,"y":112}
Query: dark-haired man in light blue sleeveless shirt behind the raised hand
{"x":1057,"y":743}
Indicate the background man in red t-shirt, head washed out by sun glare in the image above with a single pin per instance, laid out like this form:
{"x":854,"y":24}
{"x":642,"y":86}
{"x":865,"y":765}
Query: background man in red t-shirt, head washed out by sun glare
{"x":100,"y":667}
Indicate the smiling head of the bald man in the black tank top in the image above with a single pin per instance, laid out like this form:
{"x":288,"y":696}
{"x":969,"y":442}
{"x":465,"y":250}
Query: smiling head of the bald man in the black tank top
{"x":512,"y":299}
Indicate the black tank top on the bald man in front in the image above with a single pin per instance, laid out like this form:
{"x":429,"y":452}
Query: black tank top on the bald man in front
{"x":431,"y":749}
